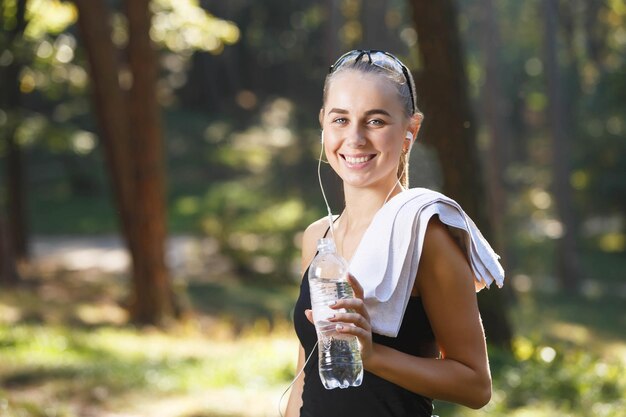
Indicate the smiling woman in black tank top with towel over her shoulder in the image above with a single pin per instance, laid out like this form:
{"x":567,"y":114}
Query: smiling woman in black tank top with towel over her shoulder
{"x":425,"y":340}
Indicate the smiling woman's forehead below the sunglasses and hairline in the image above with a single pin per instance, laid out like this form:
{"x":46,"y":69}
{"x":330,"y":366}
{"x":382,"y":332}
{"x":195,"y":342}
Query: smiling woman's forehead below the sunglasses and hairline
{"x":352,"y":89}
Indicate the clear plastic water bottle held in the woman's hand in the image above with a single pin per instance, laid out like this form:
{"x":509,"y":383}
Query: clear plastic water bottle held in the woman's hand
{"x":340,"y":362}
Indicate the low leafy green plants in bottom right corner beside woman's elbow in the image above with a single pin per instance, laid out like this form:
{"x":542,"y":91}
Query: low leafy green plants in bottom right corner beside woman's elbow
{"x":558,"y":379}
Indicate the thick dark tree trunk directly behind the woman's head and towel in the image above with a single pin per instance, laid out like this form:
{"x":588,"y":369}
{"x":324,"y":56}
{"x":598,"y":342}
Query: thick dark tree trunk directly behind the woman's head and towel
{"x":449,"y":127}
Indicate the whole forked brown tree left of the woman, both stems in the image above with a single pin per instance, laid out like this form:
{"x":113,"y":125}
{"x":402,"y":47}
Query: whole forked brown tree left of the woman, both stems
{"x":131,"y":134}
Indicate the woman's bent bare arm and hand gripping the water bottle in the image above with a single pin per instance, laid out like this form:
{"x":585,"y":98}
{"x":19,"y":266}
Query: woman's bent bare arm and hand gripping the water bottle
{"x":446,"y":284}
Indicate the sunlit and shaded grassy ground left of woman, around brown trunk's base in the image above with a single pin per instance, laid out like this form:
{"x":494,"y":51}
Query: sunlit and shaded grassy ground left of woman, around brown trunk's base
{"x":66,"y":351}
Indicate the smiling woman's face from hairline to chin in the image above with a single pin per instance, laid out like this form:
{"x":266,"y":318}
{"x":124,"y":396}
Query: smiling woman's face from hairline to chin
{"x":364,"y":128}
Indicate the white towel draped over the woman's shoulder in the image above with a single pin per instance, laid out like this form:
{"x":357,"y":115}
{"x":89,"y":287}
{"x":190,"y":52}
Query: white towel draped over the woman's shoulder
{"x":386,"y":260}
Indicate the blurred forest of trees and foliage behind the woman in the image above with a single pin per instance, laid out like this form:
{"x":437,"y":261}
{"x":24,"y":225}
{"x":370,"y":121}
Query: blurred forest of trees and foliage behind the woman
{"x":165,"y":118}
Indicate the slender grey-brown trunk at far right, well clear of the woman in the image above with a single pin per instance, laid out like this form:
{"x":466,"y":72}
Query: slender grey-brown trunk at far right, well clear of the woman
{"x":567,"y":264}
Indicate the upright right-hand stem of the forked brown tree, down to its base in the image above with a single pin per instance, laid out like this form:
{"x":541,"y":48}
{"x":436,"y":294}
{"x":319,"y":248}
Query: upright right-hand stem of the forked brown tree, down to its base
{"x":153,"y":298}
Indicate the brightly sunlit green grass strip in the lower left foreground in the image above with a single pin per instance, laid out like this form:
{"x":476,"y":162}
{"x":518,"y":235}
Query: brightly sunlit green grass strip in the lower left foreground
{"x":112,"y":368}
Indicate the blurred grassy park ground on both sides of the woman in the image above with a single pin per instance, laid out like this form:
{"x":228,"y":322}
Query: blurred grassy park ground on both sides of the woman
{"x":67,"y":350}
